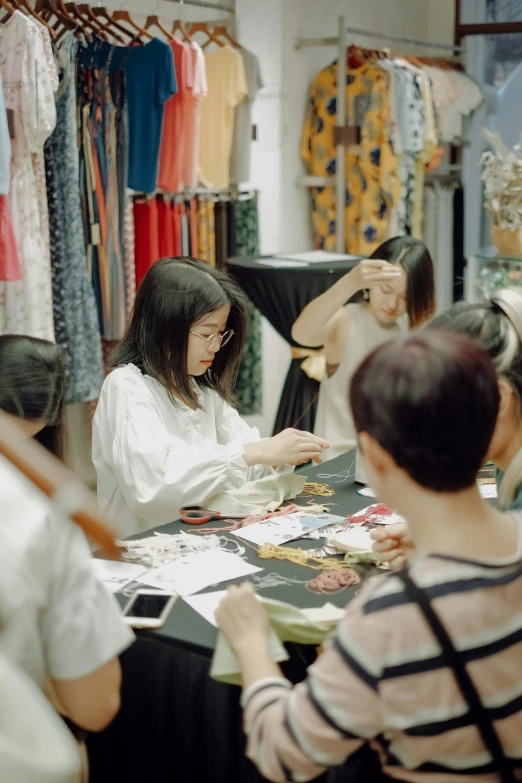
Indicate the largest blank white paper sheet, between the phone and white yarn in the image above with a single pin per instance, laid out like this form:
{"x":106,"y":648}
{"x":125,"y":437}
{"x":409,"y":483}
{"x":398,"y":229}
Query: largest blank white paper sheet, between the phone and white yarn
{"x":195,"y":571}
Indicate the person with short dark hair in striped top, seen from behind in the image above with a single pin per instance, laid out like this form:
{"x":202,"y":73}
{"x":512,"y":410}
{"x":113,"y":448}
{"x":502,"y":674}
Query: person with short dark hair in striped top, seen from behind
{"x":425,"y":410}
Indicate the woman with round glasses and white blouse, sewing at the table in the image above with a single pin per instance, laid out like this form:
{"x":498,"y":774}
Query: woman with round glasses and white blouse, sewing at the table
{"x":165,"y":433}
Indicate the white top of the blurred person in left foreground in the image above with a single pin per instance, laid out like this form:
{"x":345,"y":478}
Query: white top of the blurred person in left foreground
{"x":57,"y":619}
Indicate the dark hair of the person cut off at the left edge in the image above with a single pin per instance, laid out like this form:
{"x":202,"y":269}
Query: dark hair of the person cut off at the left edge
{"x":32,"y":386}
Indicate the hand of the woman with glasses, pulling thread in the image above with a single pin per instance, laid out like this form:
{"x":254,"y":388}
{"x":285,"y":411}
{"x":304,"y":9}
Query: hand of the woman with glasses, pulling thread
{"x":290,"y":447}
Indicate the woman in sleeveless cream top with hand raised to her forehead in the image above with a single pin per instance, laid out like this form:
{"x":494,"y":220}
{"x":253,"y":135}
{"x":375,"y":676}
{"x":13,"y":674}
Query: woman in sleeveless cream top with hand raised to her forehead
{"x":395,"y":291}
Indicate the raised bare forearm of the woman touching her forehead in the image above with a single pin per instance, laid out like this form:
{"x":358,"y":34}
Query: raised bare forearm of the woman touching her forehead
{"x":311,"y":328}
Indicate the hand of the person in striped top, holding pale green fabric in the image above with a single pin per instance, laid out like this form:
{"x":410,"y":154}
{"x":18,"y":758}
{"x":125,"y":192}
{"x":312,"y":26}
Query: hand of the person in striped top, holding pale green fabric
{"x":242,"y":618}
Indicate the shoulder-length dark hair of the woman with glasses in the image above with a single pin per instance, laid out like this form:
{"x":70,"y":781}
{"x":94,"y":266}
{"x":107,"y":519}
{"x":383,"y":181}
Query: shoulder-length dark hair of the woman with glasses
{"x":175,"y":294}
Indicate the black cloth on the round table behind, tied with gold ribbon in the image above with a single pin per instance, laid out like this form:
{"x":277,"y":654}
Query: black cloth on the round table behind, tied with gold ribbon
{"x":281,"y":295}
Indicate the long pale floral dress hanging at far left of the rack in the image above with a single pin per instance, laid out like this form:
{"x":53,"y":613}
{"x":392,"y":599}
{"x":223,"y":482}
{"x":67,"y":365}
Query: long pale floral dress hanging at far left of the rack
{"x":29,"y":79}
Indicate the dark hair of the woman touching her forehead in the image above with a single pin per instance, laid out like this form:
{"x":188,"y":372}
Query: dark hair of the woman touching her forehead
{"x":415,"y":259}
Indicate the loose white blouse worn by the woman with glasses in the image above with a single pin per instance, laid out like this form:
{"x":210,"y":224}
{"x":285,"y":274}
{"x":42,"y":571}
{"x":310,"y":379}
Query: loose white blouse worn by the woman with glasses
{"x":159,"y":473}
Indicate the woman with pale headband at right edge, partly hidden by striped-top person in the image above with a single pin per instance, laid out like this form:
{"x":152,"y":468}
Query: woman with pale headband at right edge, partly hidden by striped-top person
{"x":496,"y":326}
